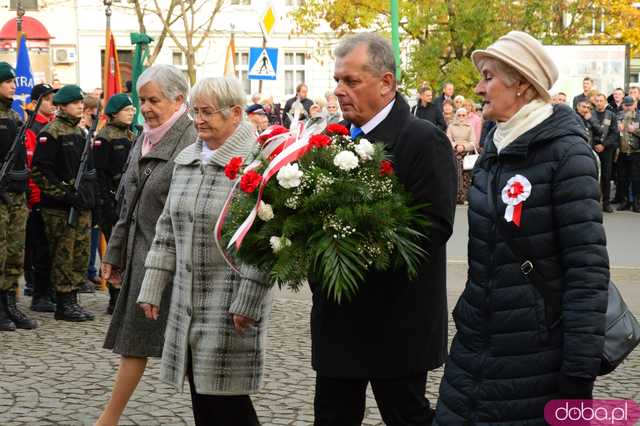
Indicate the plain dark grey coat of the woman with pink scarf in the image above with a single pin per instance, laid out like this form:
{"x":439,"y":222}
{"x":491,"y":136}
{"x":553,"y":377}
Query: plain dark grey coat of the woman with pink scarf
{"x":130,"y":332}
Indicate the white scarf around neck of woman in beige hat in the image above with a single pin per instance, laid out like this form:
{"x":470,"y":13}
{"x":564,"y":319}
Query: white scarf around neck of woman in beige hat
{"x":528,"y":117}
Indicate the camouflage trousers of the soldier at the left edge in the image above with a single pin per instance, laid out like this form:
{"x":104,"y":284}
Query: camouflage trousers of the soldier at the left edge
{"x":13,"y":223}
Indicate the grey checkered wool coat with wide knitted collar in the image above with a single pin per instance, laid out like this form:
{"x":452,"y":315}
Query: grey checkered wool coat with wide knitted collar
{"x":205,"y":290}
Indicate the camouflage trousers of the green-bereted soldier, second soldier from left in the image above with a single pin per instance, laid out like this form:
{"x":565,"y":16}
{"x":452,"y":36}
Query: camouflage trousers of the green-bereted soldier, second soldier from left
{"x":68,"y":247}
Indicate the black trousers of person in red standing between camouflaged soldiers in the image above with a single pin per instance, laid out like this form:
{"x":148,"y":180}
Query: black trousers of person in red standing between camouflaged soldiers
{"x":36,"y":253}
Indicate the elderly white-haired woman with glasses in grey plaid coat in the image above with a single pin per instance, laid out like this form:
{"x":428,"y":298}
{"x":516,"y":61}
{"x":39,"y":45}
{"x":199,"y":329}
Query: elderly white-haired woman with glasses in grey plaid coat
{"x":217,"y":320}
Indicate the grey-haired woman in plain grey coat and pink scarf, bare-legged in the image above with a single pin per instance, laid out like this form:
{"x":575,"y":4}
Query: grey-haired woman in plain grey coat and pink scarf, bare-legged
{"x":168,"y":129}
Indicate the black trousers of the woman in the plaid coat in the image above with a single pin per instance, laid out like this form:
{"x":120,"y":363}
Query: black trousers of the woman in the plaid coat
{"x":221,"y":410}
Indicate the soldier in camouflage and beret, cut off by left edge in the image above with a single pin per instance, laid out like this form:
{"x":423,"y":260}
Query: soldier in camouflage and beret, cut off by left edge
{"x":13,"y":208}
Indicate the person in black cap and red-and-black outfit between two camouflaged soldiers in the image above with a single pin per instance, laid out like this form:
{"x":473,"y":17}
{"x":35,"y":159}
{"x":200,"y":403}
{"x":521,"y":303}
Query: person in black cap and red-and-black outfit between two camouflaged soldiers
{"x":36,"y":258}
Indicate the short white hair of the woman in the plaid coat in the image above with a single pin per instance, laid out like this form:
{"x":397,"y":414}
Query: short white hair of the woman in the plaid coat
{"x":223,"y":92}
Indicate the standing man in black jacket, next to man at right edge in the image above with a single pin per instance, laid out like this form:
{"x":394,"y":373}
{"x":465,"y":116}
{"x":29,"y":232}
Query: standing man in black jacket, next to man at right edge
{"x":605,"y":141}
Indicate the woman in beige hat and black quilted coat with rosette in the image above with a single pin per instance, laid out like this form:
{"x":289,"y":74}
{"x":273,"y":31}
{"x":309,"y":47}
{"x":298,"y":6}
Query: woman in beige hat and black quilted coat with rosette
{"x":535,"y":228}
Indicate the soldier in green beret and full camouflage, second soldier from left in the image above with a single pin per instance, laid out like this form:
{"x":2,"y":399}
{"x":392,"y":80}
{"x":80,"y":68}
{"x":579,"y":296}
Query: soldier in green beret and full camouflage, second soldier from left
{"x":55,"y":165}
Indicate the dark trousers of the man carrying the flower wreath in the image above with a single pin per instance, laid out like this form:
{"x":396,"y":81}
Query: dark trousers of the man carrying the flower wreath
{"x":401,"y":401}
